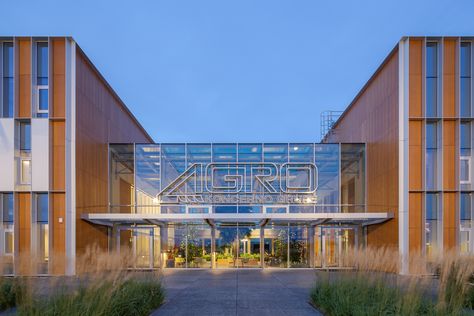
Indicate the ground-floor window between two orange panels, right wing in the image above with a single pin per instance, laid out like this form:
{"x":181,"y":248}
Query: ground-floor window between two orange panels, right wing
{"x":433,"y":230}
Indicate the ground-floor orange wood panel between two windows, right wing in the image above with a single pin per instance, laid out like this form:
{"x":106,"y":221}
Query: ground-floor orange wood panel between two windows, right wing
{"x":450,"y":207}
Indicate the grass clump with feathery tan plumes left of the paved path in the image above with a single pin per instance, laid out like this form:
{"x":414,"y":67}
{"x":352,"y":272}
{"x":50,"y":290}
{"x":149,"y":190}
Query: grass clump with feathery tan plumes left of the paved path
{"x":103,"y":286}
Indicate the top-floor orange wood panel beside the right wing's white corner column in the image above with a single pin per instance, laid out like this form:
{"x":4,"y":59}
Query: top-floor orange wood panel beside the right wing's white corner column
{"x":416,"y":78}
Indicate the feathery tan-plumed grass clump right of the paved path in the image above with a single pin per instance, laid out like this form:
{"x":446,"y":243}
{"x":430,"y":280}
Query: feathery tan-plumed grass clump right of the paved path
{"x":444,"y":280}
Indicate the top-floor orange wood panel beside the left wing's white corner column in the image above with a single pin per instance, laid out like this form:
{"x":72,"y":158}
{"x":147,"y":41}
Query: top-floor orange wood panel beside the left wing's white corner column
{"x":58,"y":79}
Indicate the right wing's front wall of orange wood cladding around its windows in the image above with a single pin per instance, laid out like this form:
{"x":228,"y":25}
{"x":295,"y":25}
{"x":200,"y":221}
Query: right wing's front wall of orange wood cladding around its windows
{"x":448,"y":122}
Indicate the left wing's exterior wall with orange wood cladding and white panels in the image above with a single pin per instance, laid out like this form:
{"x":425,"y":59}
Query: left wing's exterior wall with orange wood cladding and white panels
{"x":82,"y":119}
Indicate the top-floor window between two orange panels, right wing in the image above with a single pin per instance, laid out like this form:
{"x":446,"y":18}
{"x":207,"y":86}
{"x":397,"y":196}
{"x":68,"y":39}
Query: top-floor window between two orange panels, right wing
{"x":432,"y":79}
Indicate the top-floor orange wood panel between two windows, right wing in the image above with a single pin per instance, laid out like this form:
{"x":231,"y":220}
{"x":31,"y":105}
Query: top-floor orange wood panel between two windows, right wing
{"x":450,"y":75}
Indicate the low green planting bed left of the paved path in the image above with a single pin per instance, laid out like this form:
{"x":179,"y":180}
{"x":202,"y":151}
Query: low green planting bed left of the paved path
{"x":120,"y":294}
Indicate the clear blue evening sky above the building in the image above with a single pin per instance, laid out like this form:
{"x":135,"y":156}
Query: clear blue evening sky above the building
{"x":247,"y":70}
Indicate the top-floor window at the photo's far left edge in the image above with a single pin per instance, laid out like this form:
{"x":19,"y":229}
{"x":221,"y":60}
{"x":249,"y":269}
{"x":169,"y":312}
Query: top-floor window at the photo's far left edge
{"x":7,"y":88}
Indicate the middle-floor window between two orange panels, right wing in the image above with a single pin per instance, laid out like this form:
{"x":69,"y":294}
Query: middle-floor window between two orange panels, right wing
{"x":431,"y":155}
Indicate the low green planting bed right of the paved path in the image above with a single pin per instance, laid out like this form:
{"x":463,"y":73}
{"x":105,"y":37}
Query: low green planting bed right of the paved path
{"x":363,"y":292}
